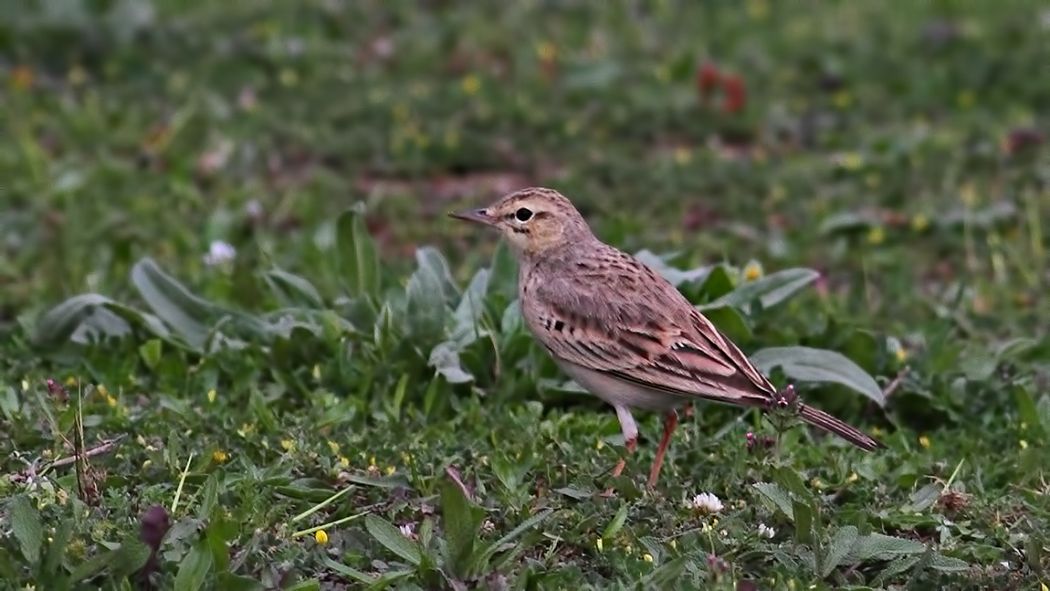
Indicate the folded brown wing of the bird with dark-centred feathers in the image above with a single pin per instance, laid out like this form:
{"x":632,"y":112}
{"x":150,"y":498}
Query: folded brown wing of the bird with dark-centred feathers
{"x":628,"y":323}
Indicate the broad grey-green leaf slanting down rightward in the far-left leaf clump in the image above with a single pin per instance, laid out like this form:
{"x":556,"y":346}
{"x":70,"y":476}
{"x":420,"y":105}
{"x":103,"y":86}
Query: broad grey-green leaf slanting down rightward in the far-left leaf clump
{"x":185,"y":313}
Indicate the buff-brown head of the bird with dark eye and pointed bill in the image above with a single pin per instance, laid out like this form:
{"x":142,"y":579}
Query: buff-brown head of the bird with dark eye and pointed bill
{"x":535,"y":221}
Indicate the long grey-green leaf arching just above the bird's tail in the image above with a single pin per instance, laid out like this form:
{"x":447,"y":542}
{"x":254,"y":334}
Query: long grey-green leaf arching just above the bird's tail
{"x":809,"y":365}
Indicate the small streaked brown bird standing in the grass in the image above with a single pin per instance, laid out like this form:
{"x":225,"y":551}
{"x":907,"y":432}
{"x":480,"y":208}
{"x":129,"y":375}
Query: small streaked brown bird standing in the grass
{"x":622,"y":331}
